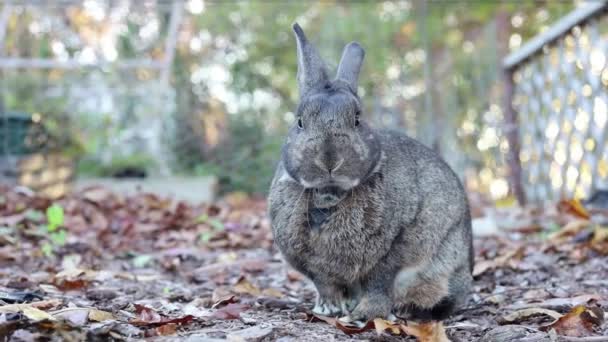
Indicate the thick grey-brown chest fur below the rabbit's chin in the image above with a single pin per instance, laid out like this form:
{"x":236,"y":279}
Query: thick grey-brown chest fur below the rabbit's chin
{"x":344,"y":243}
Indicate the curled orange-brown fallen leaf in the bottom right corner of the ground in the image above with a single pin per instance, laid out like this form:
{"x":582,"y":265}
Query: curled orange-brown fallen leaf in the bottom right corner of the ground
{"x":579,"y":322}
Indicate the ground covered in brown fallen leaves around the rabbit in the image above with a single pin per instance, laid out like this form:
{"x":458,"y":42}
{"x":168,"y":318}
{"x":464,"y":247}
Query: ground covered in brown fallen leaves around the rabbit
{"x":144,"y":267}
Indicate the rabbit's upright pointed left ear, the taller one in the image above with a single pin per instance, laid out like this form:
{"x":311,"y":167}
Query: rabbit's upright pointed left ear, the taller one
{"x":312,"y":73}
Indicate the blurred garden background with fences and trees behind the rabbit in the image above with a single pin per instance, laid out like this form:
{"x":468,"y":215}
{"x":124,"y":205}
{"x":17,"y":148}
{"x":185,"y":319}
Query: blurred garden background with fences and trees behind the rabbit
{"x":194,"y":97}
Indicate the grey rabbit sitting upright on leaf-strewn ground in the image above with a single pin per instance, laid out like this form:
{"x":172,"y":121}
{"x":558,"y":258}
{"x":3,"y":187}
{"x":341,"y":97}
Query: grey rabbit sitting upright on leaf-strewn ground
{"x":379,"y":222}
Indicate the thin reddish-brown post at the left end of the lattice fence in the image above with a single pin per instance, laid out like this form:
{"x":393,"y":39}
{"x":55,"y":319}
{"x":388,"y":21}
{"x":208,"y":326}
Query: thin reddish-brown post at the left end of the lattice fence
{"x":511,"y":124}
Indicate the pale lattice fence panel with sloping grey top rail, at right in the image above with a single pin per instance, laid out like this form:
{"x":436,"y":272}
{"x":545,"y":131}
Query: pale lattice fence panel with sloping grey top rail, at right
{"x":560,"y":83}
